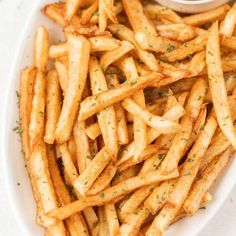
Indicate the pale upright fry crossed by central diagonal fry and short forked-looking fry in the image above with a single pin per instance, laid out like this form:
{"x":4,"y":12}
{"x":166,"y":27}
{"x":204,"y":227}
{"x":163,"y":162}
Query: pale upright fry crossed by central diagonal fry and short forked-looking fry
{"x":139,"y":125}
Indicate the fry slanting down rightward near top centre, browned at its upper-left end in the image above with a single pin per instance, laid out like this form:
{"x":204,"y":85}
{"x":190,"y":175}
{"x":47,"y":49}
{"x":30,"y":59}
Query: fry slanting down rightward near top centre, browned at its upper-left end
{"x":125,"y":33}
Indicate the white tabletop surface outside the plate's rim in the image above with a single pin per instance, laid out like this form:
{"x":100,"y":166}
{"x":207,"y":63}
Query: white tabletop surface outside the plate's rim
{"x":13,"y":14}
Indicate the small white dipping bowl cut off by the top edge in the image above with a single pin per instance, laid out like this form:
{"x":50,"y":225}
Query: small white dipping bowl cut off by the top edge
{"x":191,"y":6}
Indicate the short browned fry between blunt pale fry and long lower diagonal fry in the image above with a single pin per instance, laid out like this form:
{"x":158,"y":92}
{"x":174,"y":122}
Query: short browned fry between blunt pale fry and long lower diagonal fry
{"x":103,"y":180}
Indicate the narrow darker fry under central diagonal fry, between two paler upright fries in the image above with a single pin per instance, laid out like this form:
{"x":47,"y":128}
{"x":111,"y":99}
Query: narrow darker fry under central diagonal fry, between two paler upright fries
{"x":122,"y":130}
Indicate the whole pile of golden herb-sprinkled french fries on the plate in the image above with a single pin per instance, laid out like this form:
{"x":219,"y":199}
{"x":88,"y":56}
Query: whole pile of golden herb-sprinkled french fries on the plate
{"x":128,"y":122}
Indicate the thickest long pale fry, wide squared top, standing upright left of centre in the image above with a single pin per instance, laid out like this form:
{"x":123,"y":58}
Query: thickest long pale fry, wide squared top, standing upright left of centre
{"x":79,"y":49}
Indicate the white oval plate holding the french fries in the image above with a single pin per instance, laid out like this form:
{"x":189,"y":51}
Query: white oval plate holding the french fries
{"x":21,"y":197}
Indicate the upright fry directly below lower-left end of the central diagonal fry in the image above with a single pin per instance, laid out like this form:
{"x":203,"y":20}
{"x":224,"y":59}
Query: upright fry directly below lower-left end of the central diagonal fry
{"x":83,"y":155}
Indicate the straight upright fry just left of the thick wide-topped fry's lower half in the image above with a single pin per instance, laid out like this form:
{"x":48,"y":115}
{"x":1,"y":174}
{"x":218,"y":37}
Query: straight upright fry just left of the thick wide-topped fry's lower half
{"x":53,"y":106}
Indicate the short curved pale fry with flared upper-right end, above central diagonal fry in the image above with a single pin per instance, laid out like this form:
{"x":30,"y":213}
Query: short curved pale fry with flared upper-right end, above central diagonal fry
{"x":112,"y":56}
